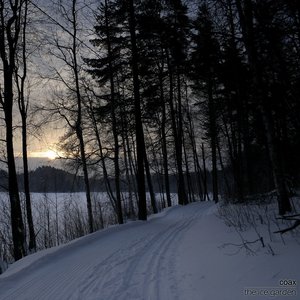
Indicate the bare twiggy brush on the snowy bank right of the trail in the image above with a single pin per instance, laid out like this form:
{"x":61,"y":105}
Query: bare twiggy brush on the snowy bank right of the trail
{"x":259,"y":219}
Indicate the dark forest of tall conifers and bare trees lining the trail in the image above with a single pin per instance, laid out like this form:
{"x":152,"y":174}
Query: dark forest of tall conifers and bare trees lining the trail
{"x":206,"y":91}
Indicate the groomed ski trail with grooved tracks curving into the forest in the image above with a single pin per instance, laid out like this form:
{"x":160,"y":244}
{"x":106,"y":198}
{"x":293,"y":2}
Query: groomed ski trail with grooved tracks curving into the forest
{"x":133,"y":262}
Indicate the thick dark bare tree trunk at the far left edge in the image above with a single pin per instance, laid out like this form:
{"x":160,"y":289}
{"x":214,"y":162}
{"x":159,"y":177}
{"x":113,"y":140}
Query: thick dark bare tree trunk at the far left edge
{"x":9,"y":35}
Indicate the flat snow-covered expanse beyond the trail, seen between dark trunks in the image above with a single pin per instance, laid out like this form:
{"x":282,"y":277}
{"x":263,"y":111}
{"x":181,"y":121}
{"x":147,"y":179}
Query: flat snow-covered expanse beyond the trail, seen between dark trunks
{"x":61,"y":217}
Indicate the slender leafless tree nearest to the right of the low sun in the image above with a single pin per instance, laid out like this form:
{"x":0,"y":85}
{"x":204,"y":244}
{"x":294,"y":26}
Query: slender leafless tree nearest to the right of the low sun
{"x":68,"y":102}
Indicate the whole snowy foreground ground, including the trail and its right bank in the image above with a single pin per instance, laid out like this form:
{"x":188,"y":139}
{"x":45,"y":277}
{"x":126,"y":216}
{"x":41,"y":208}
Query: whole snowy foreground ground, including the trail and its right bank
{"x":178,"y":254}
